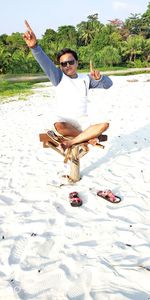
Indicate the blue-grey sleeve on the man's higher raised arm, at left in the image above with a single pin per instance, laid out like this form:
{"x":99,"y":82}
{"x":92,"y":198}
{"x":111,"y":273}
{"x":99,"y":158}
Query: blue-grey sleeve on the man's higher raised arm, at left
{"x":54,"y":74}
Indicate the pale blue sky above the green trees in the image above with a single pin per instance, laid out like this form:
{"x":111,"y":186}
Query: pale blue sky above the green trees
{"x":54,"y":13}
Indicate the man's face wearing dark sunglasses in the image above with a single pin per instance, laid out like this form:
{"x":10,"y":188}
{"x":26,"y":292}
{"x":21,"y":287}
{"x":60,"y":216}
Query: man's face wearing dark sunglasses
{"x":68,"y":65}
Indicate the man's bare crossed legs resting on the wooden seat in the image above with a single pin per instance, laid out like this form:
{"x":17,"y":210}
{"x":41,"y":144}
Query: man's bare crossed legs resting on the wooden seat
{"x":88,"y":135}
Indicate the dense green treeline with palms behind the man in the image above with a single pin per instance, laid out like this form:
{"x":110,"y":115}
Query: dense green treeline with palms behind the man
{"x":117,"y":43}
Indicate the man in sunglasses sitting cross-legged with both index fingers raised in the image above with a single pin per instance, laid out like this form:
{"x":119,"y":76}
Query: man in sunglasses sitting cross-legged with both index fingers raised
{"x":70,"y":117}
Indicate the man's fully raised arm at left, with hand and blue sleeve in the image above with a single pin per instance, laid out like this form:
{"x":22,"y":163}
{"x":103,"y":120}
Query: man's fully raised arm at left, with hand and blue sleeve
{"x":54,"y":74}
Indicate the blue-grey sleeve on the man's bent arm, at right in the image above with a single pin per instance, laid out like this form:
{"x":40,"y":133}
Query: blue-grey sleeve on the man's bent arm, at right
{"x":103,"y":83}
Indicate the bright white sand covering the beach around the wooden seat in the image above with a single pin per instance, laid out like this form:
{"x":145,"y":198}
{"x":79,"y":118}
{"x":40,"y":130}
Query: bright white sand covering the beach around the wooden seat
{"x":50,"y":250}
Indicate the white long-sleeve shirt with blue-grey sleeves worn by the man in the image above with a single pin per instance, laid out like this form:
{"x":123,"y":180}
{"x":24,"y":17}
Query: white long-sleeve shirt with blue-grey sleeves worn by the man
{"x":71,"y":93}
